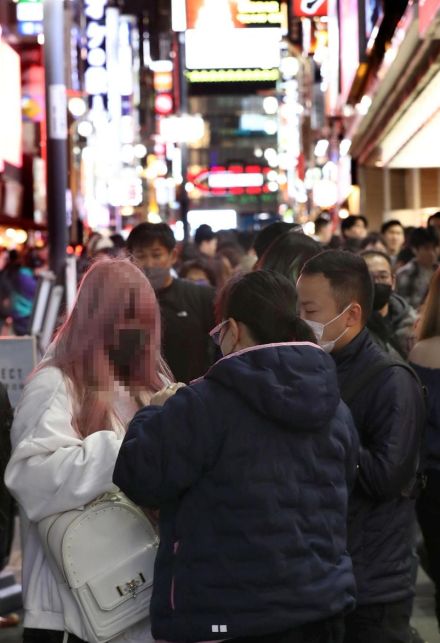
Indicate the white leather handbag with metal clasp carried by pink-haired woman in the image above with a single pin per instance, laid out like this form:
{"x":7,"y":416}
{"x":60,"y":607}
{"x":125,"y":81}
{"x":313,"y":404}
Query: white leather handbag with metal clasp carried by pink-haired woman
{"x":105,"y":554}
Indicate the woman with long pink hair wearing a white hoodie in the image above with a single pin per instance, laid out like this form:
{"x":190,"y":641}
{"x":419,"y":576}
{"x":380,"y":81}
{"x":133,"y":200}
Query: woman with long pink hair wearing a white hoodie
{"x":102,"y":366}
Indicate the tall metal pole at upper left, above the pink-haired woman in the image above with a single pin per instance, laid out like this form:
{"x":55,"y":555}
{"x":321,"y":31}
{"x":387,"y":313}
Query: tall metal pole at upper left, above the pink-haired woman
{"x":56,"y":119}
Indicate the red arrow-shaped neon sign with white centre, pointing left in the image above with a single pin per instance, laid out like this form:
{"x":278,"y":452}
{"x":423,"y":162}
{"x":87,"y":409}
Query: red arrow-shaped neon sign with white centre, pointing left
{"x":233,"y":179}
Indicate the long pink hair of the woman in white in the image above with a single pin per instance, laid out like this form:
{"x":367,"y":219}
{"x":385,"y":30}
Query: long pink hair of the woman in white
{"x":113,"y":295}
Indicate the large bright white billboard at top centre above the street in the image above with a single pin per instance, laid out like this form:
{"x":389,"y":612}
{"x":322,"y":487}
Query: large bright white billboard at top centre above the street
{"x":250,"y":28}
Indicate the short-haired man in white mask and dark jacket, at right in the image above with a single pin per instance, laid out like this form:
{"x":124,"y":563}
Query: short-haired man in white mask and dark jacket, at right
{"x":335,"y":294}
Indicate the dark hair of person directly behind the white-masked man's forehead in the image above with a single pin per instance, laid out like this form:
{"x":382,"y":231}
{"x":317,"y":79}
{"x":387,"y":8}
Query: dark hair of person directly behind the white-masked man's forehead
{"x":288,"y":254}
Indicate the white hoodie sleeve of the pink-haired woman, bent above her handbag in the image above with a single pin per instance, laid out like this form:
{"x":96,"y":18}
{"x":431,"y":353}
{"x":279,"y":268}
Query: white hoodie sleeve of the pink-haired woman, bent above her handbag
{"x":51,"y":468}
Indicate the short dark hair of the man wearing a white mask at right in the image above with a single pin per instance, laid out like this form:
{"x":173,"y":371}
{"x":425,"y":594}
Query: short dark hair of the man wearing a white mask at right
{"x":349,"y":278}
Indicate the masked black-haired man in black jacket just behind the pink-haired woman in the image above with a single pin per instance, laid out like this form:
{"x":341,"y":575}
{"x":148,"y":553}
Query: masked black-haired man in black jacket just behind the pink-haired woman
{"x":187,"y":309}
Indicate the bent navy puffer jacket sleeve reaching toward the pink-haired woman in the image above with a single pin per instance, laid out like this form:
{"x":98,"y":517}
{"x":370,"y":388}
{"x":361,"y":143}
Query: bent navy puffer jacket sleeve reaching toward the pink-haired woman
{"x":166,"y":449}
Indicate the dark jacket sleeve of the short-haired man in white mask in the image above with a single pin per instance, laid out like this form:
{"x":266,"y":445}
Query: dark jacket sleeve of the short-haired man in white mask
{"x":391,"y":441}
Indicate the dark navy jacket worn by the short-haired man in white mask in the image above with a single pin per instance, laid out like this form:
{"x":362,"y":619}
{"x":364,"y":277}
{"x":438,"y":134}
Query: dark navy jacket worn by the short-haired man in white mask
{"x":389,"y":416}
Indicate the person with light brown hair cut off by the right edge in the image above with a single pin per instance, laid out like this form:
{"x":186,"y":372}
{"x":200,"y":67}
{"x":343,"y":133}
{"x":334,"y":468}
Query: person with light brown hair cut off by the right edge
{"x":425,"y":359}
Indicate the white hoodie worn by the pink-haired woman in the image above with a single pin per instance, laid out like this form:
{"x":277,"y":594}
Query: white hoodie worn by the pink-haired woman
{"x":53,"y":470}
